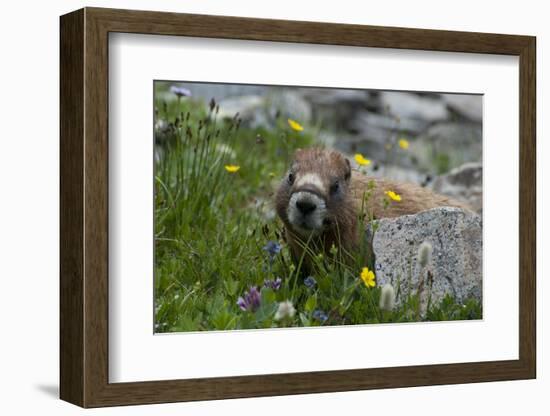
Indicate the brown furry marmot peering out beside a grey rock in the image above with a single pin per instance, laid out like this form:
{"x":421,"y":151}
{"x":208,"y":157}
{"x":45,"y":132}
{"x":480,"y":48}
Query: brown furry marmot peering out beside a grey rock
{"x":321,"y":199}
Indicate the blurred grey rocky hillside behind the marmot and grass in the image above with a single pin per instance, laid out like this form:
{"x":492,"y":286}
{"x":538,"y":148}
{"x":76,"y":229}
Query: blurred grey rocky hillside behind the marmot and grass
{"x":443,"y":131}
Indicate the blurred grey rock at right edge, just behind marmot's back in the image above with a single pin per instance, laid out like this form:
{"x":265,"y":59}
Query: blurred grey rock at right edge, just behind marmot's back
{"x":464,"y":184}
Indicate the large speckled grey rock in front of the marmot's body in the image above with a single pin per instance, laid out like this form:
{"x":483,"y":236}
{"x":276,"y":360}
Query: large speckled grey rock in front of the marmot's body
{"x":455,"y":264}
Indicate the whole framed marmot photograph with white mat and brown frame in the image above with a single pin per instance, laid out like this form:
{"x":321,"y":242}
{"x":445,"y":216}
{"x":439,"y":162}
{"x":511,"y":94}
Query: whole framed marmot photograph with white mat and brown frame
{"x":257,"y":207}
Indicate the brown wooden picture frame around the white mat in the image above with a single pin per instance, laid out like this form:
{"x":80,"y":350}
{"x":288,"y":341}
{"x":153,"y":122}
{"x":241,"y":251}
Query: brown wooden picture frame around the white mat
{"x":84,"y":207}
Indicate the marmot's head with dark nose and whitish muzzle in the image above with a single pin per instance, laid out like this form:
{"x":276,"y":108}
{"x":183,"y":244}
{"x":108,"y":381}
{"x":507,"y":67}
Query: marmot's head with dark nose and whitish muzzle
{"x":313,"y":194}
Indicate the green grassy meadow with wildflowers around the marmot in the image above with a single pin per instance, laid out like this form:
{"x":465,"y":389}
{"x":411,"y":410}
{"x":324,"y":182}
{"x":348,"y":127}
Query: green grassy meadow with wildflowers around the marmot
{"x":211,"y":227}
